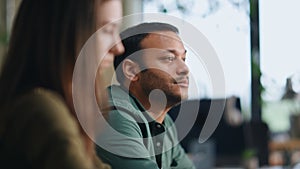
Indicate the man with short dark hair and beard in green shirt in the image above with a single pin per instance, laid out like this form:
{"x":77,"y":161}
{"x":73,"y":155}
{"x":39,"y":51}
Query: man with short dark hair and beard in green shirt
{"x":153,"y":78}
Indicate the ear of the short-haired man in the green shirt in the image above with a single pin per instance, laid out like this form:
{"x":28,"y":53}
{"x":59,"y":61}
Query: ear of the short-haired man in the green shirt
{"x":130,"y":69}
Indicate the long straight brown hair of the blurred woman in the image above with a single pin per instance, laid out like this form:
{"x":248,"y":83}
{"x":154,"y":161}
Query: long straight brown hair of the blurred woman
{"x":46,"y":38}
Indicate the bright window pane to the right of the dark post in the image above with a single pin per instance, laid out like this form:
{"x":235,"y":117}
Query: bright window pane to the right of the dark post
{"x":279,"y":40}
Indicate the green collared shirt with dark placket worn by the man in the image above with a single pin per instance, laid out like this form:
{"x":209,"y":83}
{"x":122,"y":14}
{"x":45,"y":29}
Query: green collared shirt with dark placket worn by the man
{"x":134,"y":139}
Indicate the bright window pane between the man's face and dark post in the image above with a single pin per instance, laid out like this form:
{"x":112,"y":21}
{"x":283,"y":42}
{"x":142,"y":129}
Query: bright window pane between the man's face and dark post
{"x":226,"y":25}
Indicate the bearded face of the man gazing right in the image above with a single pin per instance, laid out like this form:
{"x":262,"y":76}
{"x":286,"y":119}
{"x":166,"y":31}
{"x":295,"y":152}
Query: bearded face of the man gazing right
{"x":164,"y":58}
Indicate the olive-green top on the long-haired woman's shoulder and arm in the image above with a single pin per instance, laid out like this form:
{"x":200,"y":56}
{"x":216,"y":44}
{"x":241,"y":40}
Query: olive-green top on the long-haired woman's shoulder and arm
{"x":40,"y":124}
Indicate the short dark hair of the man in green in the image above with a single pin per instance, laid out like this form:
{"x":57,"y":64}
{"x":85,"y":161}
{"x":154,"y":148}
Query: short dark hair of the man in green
{"x":131,"y":39}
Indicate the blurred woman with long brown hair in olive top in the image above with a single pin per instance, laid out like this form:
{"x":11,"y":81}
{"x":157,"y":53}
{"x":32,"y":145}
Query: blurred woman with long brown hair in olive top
{"x":38,"y":124}
